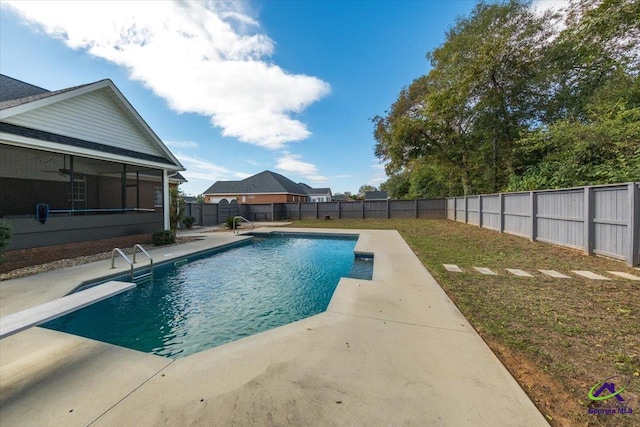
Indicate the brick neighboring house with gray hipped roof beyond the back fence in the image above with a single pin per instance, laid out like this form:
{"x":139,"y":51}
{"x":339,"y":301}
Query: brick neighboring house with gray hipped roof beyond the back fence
{"x":265,"y":187}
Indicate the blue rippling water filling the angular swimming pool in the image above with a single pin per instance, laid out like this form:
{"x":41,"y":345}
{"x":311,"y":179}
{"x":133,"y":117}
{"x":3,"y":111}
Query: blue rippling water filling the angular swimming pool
{"x":192,"y":306}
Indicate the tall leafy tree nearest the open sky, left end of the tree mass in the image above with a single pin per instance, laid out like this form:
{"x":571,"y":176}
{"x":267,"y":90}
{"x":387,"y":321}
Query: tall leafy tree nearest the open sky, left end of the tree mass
{"x":479,"y":96}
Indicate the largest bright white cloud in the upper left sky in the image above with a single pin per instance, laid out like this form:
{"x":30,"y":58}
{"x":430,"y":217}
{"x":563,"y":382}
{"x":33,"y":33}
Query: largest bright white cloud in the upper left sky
{"x":204,"y":57}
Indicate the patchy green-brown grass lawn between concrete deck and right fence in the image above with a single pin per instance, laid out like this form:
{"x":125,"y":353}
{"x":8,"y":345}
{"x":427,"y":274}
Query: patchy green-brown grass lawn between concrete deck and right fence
{"x":557,"y":337}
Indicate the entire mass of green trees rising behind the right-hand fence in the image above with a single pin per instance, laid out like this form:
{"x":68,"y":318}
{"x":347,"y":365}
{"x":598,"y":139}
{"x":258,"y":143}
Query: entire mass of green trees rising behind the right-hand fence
{"x":514,"y":102}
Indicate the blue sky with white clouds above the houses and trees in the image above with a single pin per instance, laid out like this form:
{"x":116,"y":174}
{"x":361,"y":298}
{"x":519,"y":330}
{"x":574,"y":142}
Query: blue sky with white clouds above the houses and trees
{"x":235,"y":88}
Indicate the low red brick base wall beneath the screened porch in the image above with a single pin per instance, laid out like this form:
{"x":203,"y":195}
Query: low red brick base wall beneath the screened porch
{"x":34,"y":256}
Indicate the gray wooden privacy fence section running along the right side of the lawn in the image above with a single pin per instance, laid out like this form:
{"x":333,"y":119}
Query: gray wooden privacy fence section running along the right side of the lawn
{"x":603,"y":220}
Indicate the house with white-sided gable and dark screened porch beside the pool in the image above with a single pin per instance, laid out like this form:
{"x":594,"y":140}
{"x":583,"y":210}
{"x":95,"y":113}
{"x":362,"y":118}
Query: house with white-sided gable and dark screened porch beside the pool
{"x":79,"y":165}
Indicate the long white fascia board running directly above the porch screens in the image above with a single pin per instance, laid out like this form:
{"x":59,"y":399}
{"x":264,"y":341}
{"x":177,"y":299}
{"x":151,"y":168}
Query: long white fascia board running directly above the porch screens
{"x":36,"y":144}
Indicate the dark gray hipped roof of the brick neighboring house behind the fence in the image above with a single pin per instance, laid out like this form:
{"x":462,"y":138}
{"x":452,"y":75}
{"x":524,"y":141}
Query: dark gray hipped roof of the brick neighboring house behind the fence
{"x":264,"y":182}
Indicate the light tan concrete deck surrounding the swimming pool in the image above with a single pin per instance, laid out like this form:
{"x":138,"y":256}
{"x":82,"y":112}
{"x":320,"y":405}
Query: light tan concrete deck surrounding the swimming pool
{"x":391,"y":351}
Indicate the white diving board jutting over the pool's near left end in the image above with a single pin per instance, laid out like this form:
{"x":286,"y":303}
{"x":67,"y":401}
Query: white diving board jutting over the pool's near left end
{"x":34,"y":316}
